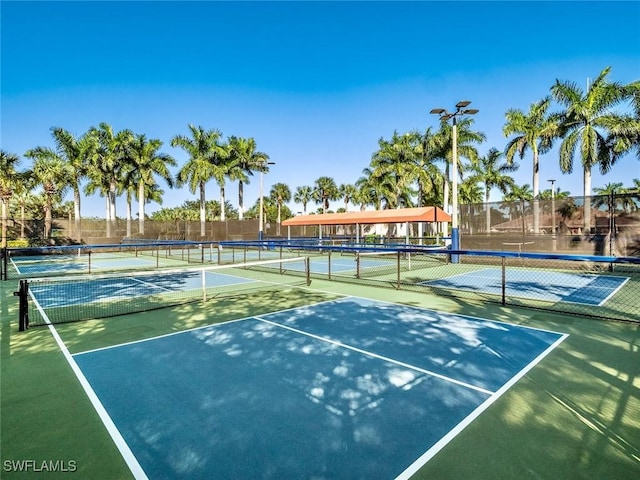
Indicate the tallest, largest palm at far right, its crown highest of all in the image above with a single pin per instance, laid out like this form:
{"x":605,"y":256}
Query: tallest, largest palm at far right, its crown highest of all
{"x":585,"y":125}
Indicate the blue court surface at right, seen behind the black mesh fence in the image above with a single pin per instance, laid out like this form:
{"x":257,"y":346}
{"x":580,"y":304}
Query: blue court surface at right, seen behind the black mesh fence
{"x":543,"y":285}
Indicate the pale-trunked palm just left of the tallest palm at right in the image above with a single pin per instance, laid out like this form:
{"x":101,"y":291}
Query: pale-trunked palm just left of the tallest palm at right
{"x":534,"y":130}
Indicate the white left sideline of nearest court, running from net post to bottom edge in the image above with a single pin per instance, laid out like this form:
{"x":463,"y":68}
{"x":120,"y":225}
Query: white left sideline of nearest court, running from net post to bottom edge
{"x":116,"y":436}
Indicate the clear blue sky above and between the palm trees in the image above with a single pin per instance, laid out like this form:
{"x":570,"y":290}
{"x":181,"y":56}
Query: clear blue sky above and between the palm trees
{"x":315,"y":83}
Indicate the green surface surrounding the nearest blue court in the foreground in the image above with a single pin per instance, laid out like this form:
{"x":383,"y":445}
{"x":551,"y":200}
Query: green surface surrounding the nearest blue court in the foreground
{"x":575,"y":415}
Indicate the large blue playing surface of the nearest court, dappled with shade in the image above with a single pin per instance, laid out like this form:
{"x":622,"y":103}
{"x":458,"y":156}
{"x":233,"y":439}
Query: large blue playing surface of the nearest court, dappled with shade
{"x":345,"y":389}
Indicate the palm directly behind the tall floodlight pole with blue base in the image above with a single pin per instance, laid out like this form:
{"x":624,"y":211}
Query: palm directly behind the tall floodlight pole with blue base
{"x":443,"y":148}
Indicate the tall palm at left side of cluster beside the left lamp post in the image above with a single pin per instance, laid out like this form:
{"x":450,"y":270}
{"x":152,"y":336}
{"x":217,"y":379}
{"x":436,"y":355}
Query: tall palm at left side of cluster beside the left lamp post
{"x":203,"y":150}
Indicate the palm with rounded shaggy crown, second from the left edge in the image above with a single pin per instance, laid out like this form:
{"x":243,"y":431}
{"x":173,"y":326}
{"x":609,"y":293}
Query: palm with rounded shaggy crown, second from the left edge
{"x":49,"y":171}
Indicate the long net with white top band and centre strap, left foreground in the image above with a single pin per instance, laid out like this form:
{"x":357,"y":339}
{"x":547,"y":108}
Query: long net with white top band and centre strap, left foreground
{"x":71,"y":299}
